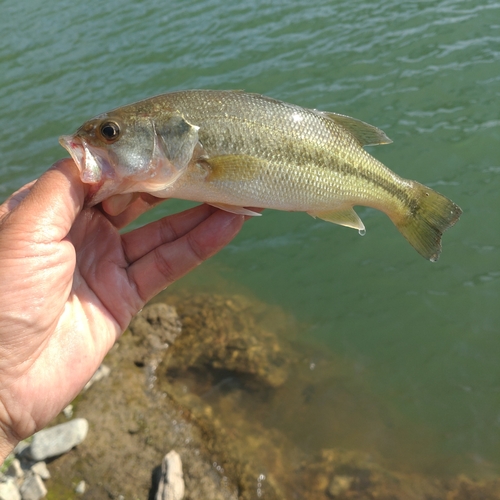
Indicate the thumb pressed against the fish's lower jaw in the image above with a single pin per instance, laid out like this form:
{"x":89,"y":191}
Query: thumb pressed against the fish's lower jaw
{"x":47,"y":208}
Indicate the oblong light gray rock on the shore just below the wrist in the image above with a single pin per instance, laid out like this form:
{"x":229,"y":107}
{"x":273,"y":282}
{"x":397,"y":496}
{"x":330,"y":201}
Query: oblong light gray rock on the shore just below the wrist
{"x":58,"y":439}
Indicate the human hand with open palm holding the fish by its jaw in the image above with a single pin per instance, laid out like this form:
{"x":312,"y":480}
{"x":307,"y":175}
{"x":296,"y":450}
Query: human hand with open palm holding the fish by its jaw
{"x":70,"y":284}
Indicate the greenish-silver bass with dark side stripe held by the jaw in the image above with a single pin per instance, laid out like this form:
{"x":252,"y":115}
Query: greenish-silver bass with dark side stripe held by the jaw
{"x":239,"y":151}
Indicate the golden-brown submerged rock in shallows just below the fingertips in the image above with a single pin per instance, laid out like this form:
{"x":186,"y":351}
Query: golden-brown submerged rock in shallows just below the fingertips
{"x":221,"y":334}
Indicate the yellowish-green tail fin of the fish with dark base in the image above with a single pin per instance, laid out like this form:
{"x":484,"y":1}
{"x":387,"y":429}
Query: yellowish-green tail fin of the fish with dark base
{"x":426,"y":220}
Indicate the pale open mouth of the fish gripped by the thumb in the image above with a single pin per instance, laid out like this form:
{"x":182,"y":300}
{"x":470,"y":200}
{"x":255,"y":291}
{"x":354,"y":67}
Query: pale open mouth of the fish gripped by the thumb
{"x":94,"y":165}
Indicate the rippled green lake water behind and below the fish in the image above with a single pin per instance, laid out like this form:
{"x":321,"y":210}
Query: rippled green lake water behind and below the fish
{"x":423,"y":338}
